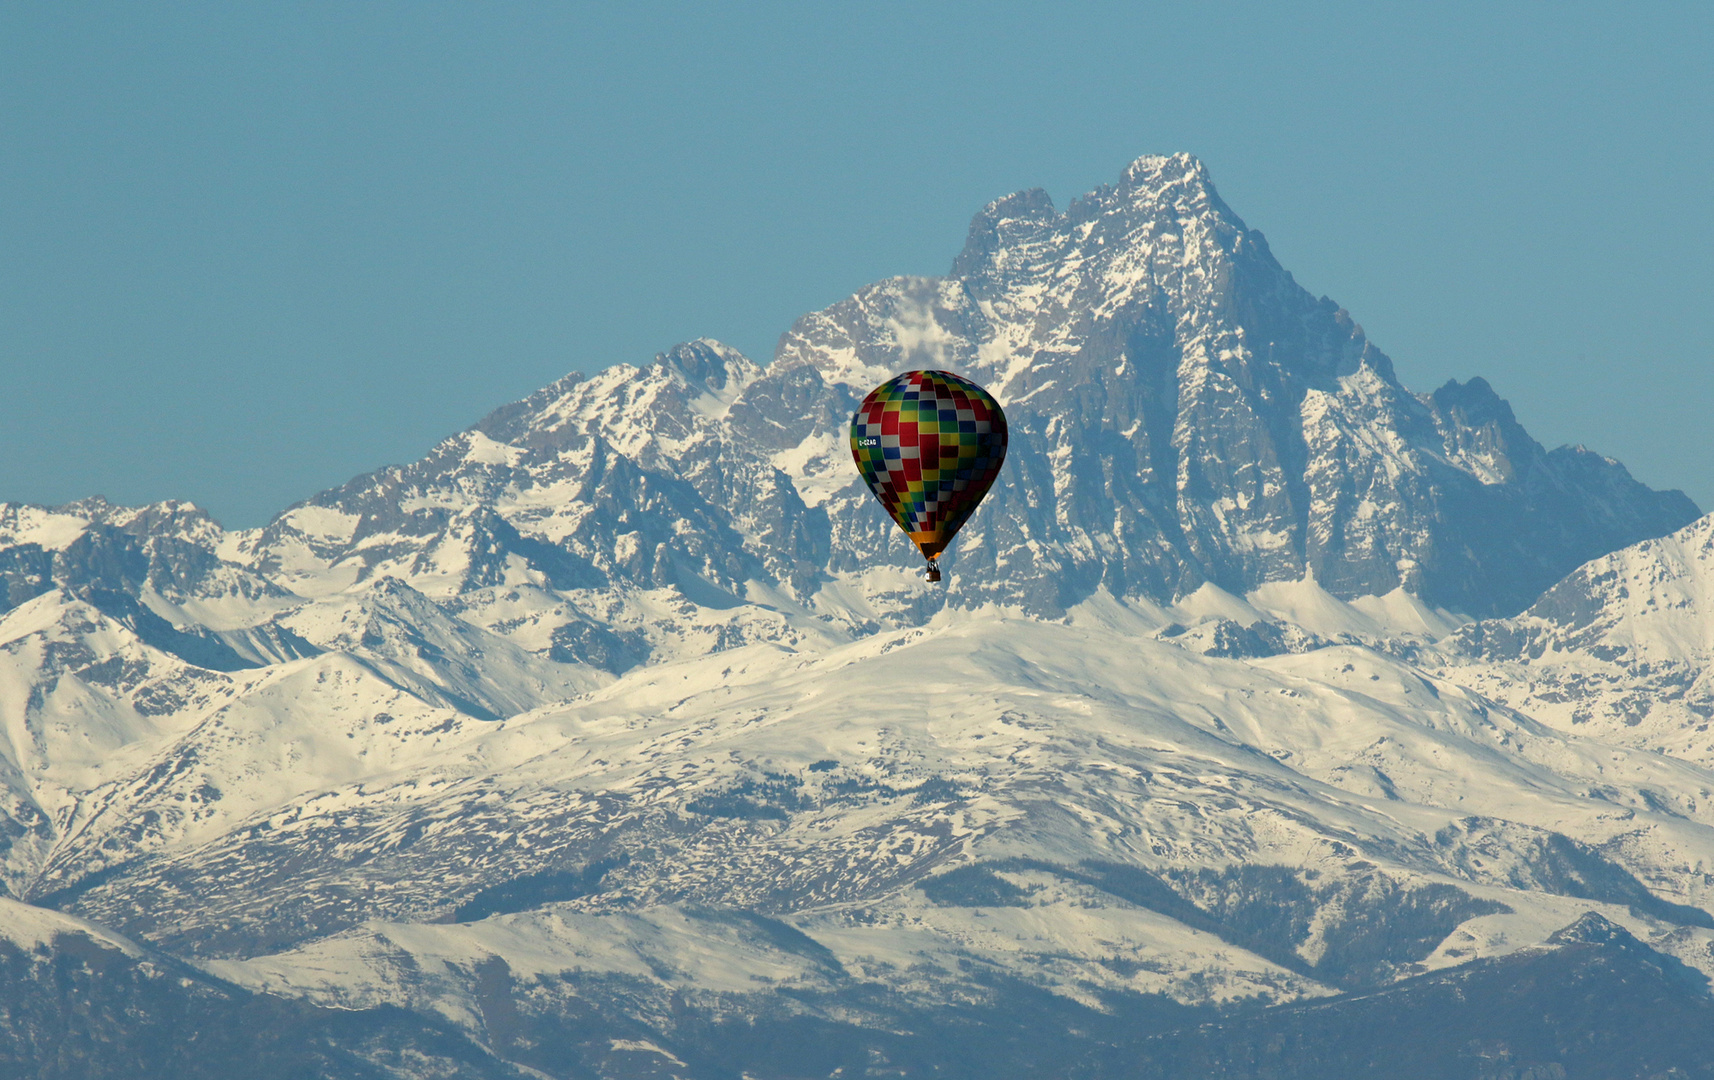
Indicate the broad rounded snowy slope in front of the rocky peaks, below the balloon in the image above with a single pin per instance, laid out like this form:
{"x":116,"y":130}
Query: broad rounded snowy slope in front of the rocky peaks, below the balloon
{"x":779,"y":784}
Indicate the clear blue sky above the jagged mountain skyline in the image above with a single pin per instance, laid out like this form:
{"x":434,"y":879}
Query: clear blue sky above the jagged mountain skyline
{"x":253,"y":249}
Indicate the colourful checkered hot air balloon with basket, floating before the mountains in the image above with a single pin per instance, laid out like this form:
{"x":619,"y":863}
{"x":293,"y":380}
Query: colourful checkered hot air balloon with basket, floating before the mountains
{"x":930,"y":447}
